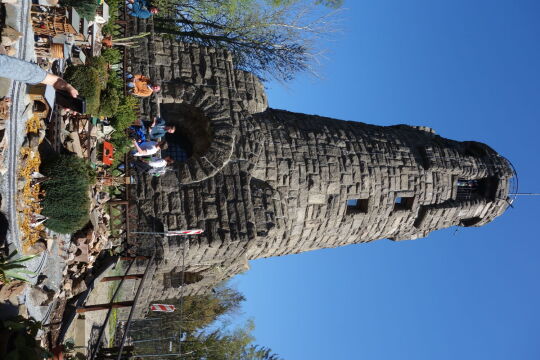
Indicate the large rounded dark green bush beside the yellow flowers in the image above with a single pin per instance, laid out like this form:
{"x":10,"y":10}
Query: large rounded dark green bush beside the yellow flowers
{"x":66,"y":200}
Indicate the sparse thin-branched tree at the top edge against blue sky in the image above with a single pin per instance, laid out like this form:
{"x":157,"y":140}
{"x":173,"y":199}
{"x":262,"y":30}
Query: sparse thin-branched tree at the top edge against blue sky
{"x":275,"y":38}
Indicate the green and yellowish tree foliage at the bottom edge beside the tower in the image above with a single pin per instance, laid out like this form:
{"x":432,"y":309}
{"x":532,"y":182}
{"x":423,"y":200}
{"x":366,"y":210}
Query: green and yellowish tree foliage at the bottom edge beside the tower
{"x":203,"y":321}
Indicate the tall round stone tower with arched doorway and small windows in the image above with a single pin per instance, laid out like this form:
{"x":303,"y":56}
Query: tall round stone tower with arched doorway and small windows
{"x":263,"y":182}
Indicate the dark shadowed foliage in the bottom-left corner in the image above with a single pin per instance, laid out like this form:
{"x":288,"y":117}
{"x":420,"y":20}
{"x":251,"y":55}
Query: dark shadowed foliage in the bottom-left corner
{"x":17,"y":340}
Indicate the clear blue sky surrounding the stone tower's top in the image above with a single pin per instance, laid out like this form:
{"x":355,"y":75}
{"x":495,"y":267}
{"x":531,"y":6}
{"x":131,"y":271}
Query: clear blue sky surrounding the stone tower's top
{"x":470,"y":70}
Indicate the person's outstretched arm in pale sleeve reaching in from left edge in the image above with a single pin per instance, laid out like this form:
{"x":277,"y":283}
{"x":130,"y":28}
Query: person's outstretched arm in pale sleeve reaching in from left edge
{"x":24,"y":71}
